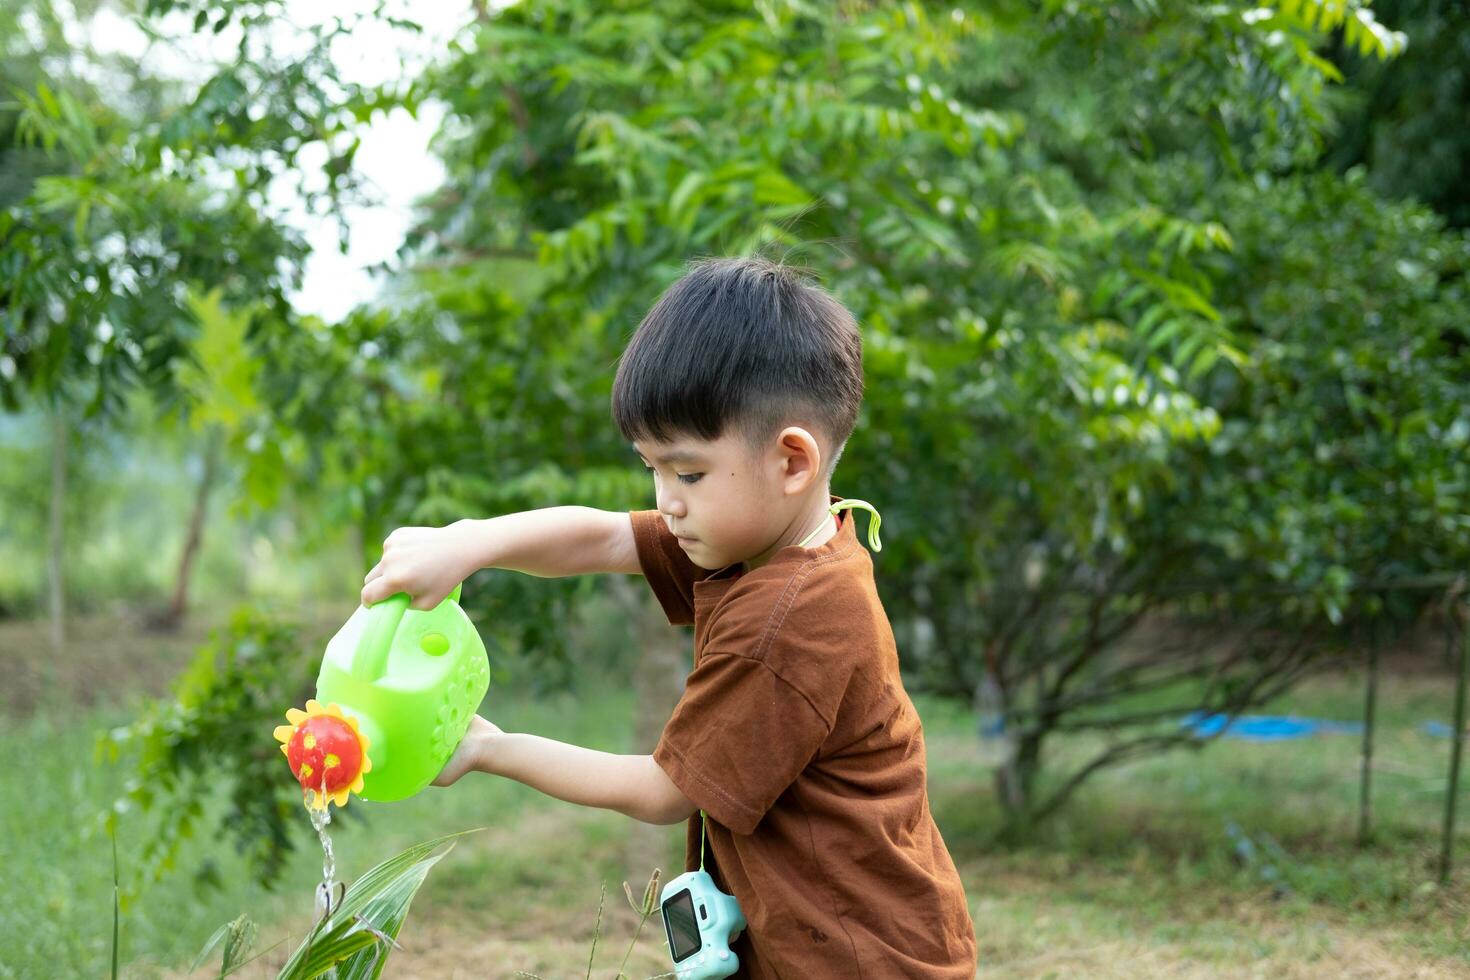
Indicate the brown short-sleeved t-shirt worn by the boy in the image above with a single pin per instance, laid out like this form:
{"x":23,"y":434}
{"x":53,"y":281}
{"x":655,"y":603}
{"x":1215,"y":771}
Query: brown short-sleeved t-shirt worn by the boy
{"x":797,"y":738}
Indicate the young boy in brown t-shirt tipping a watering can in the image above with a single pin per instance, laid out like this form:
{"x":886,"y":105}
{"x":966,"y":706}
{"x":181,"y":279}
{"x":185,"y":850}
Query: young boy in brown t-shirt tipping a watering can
{"x":795,"y":734}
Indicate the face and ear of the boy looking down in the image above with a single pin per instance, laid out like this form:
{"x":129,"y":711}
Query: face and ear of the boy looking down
{"x":730,"y":503}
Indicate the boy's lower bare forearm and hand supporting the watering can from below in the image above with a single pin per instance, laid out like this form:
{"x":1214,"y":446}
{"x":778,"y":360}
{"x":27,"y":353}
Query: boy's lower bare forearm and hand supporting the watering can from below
{"x":633,"y":785}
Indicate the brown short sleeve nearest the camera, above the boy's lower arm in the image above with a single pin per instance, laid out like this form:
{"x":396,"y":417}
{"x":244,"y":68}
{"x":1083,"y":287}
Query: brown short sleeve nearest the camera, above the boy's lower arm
{"x":739,"y":738}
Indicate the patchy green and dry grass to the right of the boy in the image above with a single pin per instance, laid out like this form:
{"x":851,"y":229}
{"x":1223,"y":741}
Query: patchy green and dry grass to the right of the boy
{"x":1147,"y":865}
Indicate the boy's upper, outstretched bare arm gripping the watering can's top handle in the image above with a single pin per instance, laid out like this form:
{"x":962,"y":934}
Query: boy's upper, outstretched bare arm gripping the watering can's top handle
{"x":551,"y":543}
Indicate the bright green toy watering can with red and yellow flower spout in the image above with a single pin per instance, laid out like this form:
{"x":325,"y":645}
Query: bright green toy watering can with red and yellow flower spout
{"x":395,"y":697}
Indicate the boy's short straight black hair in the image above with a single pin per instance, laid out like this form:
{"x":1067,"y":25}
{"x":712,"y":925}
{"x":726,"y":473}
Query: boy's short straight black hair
{"x":745,"y":345}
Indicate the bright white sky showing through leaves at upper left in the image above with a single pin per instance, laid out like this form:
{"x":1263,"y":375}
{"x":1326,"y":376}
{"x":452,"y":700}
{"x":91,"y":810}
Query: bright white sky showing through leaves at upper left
{"x":395,"y":156}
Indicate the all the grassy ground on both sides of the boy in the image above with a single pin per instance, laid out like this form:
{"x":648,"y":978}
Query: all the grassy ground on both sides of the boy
{"x":1238,"y":860}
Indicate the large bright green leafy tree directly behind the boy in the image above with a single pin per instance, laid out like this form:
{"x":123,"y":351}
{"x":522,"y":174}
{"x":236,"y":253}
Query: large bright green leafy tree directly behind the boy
{"x":999,"y":198}
